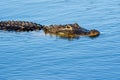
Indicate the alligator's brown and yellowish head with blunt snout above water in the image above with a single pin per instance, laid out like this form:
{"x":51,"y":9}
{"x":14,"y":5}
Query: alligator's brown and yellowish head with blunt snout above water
{"x":70,"y":30}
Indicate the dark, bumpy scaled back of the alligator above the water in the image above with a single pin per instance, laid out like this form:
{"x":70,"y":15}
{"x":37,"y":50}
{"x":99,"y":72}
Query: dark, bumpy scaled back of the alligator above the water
{"x":19,"y":26}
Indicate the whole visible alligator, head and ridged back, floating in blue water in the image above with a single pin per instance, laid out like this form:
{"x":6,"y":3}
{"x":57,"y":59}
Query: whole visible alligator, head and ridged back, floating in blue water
{"x":67,"y":30}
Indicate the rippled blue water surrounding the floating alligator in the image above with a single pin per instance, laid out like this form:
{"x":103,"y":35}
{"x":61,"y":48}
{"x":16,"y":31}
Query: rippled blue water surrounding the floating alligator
{"x":36,"y":56}
